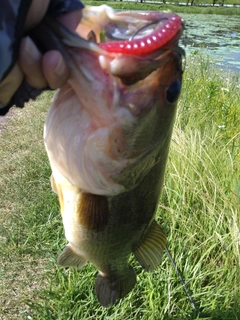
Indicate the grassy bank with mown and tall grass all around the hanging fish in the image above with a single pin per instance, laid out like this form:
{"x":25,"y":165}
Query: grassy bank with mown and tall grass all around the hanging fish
{"x":199,"y":210}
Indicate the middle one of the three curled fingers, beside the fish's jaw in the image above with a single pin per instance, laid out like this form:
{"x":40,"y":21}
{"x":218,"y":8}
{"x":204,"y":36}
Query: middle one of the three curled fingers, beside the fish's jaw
{"x":30,"y":61}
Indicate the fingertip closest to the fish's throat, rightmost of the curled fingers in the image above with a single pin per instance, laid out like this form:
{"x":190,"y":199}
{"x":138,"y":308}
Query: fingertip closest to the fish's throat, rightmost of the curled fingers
{"x":54,"y":69}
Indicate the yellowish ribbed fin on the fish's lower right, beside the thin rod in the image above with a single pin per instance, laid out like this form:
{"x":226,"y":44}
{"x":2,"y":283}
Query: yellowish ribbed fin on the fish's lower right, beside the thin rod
{"x":149,"y":252}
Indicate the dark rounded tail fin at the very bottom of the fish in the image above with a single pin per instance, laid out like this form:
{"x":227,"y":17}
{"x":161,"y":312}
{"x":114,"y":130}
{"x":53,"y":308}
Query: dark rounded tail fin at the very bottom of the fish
{"x":111,"y":288}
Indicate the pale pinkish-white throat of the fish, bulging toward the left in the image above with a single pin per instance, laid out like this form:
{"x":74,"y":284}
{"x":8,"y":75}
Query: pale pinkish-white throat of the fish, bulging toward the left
{"x":83,"y":131}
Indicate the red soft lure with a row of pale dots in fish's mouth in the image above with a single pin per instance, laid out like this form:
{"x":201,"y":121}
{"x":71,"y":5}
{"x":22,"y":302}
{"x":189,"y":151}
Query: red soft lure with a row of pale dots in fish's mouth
{"x":168,"y":29}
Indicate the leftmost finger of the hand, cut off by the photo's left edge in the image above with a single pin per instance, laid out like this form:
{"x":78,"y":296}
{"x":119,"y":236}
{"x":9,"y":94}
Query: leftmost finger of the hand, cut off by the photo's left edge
{"x":10,"y":84}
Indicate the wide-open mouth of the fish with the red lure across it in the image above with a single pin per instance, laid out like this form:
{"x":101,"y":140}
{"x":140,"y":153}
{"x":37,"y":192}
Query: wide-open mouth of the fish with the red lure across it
{"x":126,"y":33}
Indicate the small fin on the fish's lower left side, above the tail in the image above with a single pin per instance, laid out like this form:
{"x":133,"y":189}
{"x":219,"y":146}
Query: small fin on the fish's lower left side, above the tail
{"x":68,"y":258}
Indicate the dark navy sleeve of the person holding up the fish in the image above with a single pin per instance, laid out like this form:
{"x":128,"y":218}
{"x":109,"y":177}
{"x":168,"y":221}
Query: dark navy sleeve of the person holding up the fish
{"x":13,"y":15}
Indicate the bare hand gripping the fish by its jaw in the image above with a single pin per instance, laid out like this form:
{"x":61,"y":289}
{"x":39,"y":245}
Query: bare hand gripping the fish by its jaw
{"x":38,"y":70}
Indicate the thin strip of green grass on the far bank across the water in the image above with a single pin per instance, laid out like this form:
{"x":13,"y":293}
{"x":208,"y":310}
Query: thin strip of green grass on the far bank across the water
{"x":125,"y":5}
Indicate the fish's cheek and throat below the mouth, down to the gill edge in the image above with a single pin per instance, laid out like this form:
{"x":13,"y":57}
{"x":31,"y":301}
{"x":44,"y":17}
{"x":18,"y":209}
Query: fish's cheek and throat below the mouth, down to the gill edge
{"x":100,"y":136}
